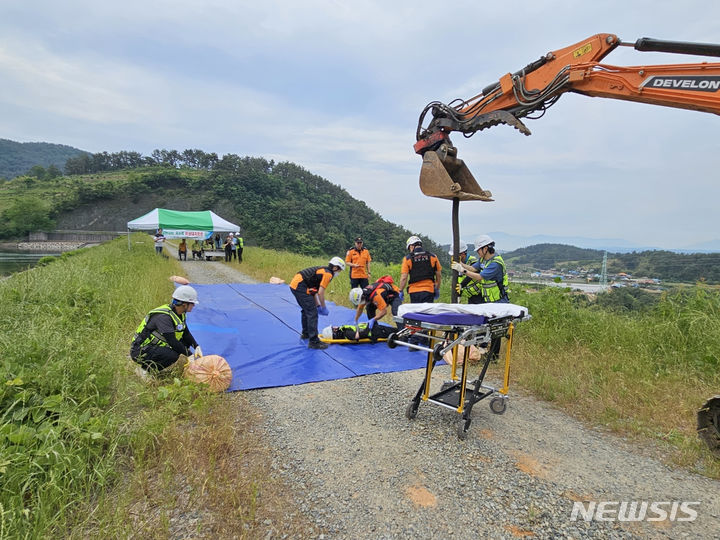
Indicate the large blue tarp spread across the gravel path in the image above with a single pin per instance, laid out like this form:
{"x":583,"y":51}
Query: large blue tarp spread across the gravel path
{"x":256,"y":328}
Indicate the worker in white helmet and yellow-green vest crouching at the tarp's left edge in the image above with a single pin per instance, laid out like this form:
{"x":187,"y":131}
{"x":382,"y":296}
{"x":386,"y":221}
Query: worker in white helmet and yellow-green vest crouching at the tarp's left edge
{"x":163,"y":336}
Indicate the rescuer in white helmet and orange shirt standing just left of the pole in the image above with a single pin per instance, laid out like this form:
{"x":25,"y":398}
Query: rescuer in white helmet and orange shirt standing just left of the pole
{"x":421,"y":271}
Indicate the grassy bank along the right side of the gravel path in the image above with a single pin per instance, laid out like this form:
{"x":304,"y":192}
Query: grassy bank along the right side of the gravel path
{"x":640,"y":374}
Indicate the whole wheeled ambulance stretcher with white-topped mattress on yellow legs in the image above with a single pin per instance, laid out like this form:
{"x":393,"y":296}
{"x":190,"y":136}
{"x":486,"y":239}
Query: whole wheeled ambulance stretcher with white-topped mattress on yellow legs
{"x":441,"y":328}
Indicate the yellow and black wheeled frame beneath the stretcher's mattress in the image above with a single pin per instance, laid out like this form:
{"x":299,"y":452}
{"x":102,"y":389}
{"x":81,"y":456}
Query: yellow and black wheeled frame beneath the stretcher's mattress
{"x":458,"y":394}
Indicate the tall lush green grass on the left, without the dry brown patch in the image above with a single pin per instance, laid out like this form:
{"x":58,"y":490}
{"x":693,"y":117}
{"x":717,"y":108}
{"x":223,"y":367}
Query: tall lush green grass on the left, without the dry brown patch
{"x":71,"y":413}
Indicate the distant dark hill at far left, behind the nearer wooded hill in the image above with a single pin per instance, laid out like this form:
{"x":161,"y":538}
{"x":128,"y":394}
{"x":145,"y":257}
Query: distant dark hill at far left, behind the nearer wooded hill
{"x":18,"y":158}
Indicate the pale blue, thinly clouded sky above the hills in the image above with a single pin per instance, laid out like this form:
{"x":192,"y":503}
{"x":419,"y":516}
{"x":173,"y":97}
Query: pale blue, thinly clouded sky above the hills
{"x":337,"y":87}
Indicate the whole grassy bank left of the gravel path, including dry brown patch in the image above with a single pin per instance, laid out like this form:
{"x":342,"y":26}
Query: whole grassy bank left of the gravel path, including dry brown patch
{"x":86,"y":449}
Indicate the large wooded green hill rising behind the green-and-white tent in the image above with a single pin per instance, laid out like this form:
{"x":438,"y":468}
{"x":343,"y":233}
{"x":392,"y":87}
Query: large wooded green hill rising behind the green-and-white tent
{"x":277,"y":205}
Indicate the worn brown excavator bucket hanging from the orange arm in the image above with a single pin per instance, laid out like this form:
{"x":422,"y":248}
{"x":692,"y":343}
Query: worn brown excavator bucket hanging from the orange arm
{"x":445,"y":176}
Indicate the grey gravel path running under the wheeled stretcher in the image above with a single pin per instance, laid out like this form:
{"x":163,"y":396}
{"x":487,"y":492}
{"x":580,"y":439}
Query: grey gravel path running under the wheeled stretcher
{"x":358,"y":468}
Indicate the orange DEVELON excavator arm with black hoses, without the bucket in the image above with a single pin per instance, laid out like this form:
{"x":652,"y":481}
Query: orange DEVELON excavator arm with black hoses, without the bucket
{"x":528,"y":93}
